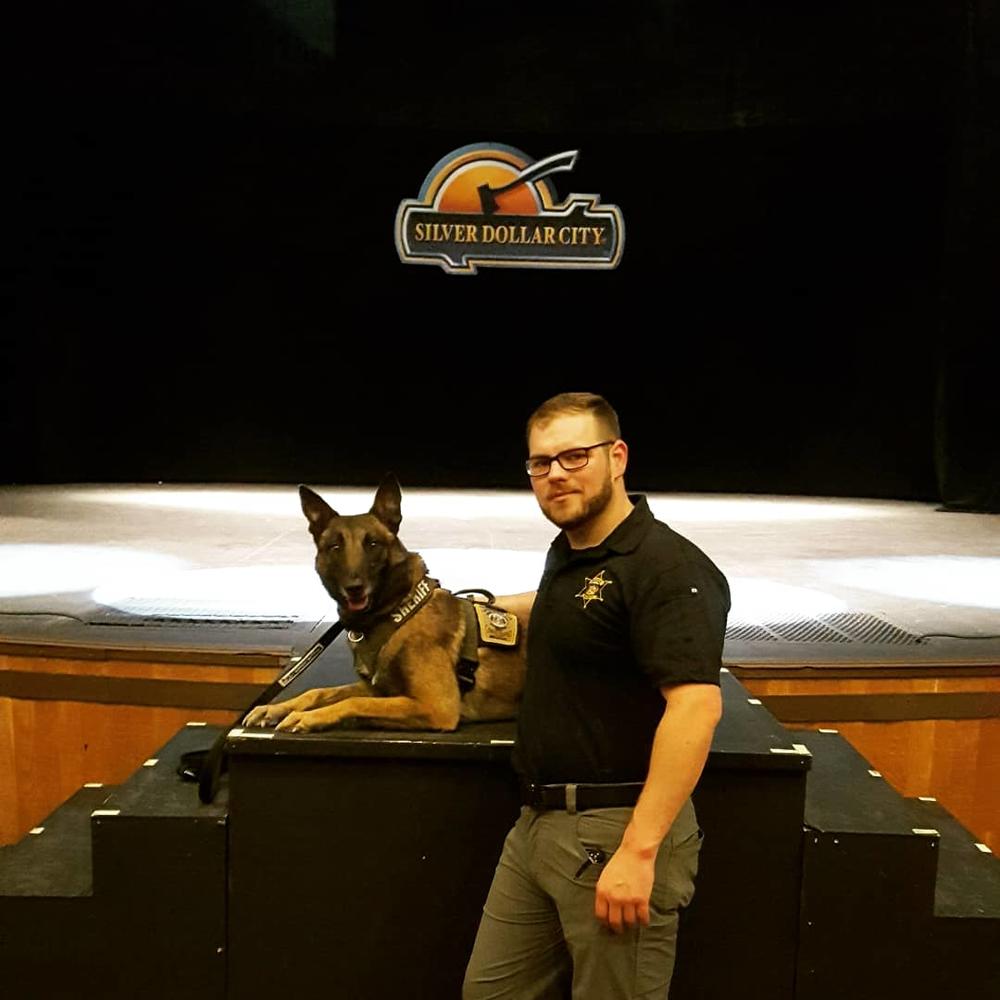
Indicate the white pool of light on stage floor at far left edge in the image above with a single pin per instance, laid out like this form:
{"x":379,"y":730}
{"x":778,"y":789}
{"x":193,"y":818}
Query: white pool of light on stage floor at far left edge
{"x":29,"y":570}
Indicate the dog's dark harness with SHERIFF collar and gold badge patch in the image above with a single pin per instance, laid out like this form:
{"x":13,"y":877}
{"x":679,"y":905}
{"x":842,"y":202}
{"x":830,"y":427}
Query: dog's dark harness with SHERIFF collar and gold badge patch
{"x":485,"y":625}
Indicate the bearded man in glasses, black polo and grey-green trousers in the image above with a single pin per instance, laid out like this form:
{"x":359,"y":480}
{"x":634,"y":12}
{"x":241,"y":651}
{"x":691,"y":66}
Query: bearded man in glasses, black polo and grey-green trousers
{"x":620,"y":703}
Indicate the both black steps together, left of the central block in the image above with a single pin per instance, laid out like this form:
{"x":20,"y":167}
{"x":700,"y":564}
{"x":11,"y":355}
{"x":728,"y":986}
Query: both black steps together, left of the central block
{"x":122,"y":893}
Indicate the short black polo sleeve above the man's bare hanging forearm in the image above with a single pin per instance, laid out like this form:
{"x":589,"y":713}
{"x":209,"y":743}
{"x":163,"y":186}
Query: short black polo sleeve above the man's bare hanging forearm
{"x":677,"y":625}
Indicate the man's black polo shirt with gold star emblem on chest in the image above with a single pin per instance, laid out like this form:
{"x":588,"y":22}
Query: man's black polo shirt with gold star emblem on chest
{"x":609,"y":626}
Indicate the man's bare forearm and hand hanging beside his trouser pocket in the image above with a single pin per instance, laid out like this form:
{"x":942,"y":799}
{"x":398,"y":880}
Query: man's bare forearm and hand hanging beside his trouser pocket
{"x":680,"y":749}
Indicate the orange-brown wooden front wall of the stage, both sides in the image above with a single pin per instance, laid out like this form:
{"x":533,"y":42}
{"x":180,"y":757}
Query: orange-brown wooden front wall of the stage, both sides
{"x":65,"y":722}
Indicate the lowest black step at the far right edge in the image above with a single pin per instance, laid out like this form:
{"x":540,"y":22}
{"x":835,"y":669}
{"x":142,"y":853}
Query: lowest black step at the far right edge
{"x":964,"y":934}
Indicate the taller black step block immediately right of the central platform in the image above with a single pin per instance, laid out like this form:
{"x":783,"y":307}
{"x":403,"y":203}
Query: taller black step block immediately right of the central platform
{"x":868,"y":881}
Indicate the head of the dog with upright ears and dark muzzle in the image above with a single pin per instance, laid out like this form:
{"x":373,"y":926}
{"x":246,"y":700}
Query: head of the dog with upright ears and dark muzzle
{"x":355,"y":554}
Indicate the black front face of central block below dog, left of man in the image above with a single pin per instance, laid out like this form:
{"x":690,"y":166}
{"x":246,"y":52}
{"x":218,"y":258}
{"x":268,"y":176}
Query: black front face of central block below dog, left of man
{"x":382,"y":866}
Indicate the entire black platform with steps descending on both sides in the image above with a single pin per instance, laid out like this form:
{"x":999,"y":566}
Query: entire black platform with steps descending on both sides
{"x":354,"y":864}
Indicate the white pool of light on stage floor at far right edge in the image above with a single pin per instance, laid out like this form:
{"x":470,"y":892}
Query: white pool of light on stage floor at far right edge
{"x":969,"y":581}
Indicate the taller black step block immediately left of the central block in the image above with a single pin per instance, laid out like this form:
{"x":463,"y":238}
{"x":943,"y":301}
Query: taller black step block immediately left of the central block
{"x":160,"y":872}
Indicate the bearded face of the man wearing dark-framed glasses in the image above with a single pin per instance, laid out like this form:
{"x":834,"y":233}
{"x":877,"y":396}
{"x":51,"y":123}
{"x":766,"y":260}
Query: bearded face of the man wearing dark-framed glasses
{"x":570,"y":499}
